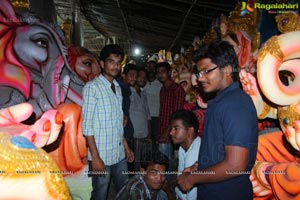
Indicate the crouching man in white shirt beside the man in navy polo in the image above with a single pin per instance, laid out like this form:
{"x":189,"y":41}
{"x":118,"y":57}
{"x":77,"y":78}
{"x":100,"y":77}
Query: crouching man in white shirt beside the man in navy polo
{"x":184,"y":128}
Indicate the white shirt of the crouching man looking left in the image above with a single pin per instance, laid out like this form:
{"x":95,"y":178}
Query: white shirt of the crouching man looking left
{"x":187,"y":159}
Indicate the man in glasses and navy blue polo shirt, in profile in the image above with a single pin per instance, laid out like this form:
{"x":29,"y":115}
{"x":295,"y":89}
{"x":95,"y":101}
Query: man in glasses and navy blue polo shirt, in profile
{"x":229,"y":142}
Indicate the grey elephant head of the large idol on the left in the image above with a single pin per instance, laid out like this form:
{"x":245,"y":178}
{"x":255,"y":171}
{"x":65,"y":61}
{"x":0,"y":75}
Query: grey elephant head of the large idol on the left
{"x":33,"y":62}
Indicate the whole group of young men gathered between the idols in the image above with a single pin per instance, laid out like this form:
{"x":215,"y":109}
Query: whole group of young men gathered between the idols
{"x":145,"y":136}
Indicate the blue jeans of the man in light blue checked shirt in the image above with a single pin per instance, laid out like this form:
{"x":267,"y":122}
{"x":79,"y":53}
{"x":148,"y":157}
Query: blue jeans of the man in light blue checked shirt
{"x":101,"y":183}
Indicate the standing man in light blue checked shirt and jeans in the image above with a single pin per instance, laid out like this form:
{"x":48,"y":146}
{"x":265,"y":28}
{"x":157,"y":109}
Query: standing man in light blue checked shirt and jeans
{"x":102,"y":124}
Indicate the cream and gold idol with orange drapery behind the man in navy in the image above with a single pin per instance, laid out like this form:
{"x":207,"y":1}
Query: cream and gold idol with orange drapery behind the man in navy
{"x":276,"y":173}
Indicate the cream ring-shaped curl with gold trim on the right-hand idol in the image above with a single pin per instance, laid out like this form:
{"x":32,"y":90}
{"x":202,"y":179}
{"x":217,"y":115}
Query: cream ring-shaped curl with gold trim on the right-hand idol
{"x":280,"y":53}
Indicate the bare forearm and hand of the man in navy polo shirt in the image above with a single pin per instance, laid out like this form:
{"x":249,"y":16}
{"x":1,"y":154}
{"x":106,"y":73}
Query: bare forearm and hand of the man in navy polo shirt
{"x":233,"y":165}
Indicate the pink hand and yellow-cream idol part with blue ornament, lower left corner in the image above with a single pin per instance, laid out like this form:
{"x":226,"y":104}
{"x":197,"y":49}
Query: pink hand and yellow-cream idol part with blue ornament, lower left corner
{"x":26,"y":171}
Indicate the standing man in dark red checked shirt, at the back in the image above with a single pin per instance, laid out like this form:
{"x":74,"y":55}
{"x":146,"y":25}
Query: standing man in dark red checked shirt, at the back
{"x":172,"y":98}
